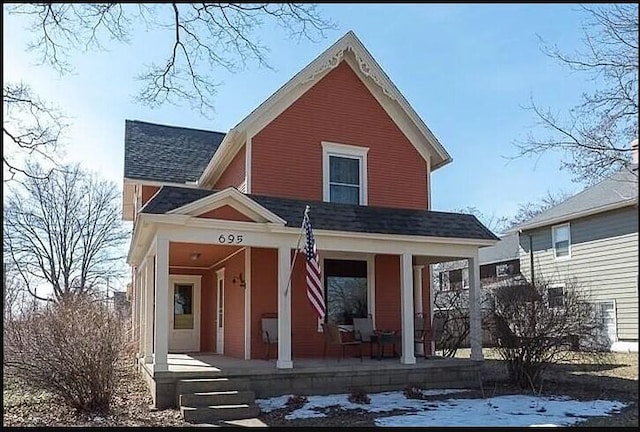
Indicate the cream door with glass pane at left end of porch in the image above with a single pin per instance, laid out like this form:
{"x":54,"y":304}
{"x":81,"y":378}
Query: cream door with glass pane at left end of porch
{"x":184,"y":313}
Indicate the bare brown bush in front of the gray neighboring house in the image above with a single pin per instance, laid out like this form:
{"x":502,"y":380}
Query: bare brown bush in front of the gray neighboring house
{"x":533,"y":331}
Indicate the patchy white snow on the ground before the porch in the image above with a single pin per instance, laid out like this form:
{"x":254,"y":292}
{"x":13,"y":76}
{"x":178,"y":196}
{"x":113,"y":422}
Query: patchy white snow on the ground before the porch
{"x":511,"y":410}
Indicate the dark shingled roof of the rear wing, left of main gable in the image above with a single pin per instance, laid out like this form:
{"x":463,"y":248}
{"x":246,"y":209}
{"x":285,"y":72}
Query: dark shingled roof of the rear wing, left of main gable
{"x":167,"y":153}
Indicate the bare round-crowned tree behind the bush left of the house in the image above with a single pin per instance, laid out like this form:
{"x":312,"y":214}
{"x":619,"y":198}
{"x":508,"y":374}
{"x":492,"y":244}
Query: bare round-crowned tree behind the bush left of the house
{"x":64,"y":232}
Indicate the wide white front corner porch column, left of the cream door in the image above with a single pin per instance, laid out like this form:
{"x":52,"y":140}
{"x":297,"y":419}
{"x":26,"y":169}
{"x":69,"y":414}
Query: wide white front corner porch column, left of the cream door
{"x":161,"y":322}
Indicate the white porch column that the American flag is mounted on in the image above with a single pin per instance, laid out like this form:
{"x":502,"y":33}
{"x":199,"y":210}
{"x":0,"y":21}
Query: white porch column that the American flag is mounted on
{"x":284,"y":309}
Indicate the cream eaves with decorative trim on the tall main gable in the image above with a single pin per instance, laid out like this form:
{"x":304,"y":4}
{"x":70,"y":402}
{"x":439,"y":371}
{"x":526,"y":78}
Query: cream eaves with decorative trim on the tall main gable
{"x":366,"y":66}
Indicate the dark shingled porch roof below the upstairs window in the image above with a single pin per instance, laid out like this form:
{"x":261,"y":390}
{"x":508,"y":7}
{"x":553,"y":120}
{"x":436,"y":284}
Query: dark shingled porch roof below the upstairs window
{"x":341,"y":217}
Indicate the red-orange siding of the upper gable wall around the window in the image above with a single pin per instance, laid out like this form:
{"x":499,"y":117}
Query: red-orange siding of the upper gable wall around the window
{"x":340,"y":109}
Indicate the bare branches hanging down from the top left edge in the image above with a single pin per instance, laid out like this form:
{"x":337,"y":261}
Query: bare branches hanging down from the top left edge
{"x":205,"y":36}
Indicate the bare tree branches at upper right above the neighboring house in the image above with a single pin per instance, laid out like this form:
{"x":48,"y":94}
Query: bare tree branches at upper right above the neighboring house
{"x":595,"y":136}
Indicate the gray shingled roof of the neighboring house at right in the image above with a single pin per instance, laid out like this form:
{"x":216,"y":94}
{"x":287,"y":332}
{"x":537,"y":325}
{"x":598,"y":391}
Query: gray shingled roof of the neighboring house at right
{"x":618,"y":190}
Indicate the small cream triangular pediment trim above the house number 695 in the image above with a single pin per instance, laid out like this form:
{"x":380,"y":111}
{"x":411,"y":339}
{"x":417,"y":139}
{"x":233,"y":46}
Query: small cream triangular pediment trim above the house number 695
{"x":233,"y":198}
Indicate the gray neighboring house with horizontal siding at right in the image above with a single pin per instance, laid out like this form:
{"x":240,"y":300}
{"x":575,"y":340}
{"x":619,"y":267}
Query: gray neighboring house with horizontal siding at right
{"x":592,"y":237}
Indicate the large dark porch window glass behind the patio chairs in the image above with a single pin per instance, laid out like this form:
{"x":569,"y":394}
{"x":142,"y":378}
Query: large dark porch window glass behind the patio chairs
{"x":345,"y":290}
